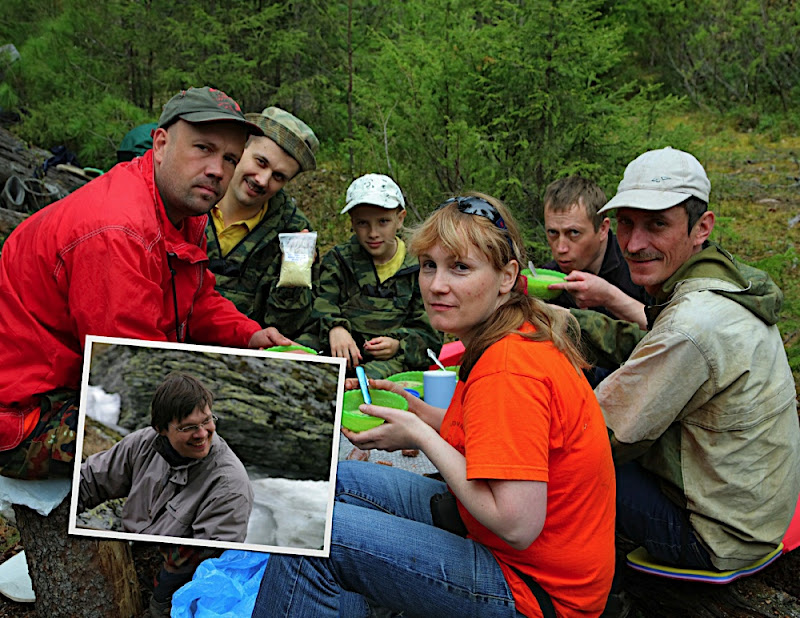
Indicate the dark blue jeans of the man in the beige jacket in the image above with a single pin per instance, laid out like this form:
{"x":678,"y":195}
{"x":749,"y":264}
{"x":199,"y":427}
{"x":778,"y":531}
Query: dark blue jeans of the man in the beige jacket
{"x":647,"y":517}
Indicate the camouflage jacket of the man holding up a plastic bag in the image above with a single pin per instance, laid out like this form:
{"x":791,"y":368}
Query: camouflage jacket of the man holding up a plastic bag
{"x":249,"y":274}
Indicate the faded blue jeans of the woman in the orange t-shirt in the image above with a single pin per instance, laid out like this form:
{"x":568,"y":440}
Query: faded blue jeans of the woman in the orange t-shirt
{"x":386,"y":551}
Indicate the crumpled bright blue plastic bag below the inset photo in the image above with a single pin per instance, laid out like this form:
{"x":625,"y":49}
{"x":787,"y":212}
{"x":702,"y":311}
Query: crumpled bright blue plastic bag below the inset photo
{"x":224,"y":587}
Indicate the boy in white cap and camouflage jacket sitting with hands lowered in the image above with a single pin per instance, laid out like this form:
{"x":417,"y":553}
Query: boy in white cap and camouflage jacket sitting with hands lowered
{"x":369,"y":306}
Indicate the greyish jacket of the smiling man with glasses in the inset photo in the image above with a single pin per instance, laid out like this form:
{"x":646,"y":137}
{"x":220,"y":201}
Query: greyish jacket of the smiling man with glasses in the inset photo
{"x":209,"y":498}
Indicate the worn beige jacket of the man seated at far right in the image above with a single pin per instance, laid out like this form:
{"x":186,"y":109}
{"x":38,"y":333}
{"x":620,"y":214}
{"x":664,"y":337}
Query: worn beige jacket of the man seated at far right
{"x":710,"y":391}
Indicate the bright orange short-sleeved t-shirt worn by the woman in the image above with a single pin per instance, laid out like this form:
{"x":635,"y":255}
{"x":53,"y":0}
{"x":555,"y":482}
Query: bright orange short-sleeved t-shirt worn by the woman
{"x":526,"y":413}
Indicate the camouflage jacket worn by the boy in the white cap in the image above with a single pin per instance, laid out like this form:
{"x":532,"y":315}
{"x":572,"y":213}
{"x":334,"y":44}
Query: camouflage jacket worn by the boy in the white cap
{"x":350,"y":295}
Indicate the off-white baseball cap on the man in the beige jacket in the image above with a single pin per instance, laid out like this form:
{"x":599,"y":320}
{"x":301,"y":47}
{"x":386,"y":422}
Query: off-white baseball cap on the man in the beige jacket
{"x":660,"y":179}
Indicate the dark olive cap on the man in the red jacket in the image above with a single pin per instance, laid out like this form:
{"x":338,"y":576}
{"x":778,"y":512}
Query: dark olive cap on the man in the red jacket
{"x":204,"y":105}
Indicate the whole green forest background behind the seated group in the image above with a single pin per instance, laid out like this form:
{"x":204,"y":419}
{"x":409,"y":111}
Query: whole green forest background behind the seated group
{"x":448,"y":95}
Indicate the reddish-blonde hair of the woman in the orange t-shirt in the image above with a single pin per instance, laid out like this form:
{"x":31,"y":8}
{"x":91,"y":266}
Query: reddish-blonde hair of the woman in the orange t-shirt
{"x":457,"y":232}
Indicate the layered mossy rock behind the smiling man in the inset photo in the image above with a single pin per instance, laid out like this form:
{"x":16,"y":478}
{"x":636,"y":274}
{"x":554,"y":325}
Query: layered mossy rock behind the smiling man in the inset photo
{"x":275,"y":414}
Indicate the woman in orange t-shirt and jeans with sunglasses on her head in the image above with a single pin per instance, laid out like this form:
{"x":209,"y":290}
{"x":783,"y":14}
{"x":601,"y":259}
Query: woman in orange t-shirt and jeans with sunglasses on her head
{"x":522,"y":449}
